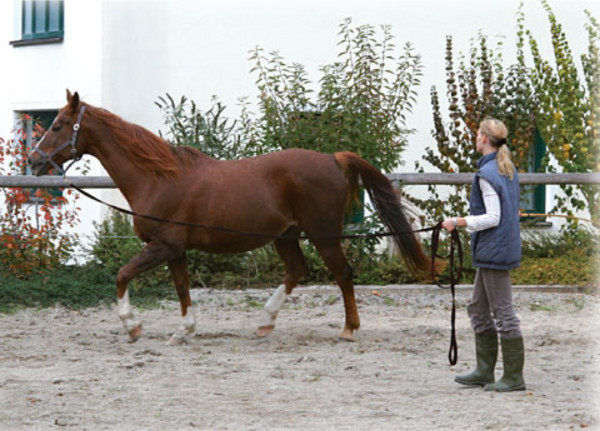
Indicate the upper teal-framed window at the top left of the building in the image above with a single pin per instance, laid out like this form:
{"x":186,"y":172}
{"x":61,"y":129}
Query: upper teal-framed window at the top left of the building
{"x":42,"y":22}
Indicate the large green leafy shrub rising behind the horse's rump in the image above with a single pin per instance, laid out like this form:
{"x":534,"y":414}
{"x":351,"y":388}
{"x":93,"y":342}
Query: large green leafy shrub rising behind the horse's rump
{"x":361,"y":104}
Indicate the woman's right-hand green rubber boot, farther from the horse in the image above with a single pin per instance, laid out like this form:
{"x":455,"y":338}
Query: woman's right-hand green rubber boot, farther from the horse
{"x":513,"y":358}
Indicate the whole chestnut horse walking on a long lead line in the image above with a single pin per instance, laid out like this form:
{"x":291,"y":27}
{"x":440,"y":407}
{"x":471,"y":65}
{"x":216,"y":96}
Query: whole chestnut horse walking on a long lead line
{"x":279,"y":195}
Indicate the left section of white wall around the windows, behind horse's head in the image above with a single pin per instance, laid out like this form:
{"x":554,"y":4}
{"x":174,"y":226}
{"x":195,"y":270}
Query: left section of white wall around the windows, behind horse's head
{"x":37,"y":76}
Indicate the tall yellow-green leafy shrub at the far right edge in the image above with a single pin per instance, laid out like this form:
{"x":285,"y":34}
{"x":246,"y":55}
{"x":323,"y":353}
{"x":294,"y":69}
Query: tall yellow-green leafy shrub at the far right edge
{"x":568,"y":105}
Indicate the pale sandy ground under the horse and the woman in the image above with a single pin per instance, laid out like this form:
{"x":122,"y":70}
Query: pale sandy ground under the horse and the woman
{"x":63,"y":369}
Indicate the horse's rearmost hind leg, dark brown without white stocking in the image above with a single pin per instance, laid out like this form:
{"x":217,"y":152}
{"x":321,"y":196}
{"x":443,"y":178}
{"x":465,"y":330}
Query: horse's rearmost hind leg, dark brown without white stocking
{"x":333,"y":255}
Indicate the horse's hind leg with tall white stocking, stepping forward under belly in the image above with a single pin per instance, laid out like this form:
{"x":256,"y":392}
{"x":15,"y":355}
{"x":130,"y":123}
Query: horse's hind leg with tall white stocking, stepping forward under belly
{"x":295,"y":267}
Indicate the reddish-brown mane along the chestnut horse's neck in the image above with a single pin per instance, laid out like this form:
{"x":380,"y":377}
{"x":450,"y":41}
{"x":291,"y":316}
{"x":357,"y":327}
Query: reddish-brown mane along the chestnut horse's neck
{"x":145,"y":149}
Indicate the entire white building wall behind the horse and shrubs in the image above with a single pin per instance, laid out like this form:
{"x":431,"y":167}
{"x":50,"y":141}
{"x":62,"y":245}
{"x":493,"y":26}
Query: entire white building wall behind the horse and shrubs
{"x":124,"y":54}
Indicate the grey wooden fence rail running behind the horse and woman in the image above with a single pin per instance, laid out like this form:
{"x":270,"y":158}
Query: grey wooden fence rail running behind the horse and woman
{"x":96,"y":182}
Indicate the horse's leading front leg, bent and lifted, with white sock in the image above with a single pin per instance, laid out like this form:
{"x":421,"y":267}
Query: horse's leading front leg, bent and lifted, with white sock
{"x":151,"y":256}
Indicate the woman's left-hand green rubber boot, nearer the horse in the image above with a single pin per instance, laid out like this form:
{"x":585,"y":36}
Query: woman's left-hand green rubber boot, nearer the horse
{"x":486,"y":350}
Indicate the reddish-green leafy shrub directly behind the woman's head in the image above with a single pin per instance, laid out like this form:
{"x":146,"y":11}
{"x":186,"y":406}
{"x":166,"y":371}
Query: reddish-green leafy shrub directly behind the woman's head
{"x":479,"y":87}
